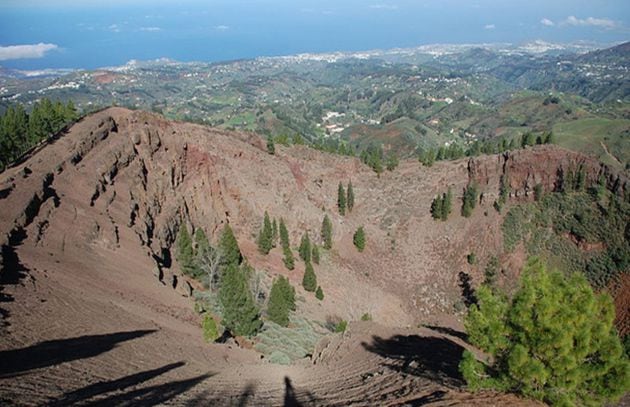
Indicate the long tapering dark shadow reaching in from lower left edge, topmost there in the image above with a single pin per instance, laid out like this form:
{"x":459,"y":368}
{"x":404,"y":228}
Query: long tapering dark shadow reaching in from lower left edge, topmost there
{"x":51,"y":353}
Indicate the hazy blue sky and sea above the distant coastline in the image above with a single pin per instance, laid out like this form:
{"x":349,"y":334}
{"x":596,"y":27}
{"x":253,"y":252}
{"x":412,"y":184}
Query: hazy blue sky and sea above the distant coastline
{"x":37,"y":34}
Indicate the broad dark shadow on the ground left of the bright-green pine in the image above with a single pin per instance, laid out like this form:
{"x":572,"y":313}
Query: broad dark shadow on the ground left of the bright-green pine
{"x":434,"y":358}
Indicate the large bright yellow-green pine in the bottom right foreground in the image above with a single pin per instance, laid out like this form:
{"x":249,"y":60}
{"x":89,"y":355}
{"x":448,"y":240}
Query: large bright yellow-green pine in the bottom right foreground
{"x":554,"y":341}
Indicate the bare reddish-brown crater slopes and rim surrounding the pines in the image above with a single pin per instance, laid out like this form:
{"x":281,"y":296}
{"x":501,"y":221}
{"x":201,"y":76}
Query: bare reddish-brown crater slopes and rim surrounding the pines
{"x":95,"y":308}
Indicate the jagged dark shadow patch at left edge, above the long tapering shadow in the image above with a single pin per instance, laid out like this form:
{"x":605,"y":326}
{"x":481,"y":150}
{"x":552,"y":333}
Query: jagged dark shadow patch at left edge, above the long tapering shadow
{"x":12,"y":271}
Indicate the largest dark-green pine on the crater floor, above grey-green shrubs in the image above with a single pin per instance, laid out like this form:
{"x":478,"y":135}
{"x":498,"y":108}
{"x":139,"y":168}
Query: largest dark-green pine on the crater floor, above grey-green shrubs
{"x":240,"y":313}
